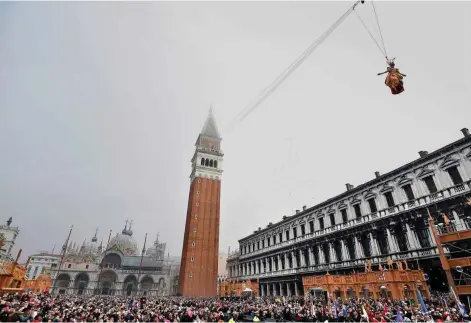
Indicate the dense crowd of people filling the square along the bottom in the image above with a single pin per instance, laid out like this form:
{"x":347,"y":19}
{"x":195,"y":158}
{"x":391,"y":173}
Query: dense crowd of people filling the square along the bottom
{"x":30,"y":307}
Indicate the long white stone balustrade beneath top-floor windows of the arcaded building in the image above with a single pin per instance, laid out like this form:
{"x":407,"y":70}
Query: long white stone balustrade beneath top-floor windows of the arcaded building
{"x":381,"y":214}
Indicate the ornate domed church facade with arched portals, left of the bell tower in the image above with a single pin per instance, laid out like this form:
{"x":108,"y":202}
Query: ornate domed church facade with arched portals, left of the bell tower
{"x":114,"y":269}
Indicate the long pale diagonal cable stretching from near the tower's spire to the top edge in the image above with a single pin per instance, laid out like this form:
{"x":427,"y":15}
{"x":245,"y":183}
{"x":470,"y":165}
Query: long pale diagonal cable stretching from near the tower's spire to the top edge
{"x":293,"y":66}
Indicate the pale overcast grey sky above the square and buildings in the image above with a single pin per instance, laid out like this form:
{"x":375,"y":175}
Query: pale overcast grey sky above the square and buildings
{"x":101,"y":104}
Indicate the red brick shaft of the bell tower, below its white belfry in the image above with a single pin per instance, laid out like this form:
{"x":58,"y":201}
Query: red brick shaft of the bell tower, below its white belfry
{"x":204,"y":268}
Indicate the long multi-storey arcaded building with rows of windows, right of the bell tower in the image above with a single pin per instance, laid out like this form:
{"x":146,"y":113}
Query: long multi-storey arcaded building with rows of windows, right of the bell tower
{"x":385,"y":217}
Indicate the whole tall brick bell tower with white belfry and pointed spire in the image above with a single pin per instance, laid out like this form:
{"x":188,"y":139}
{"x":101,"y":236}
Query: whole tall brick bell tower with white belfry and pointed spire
{"x":200,"y":254}
